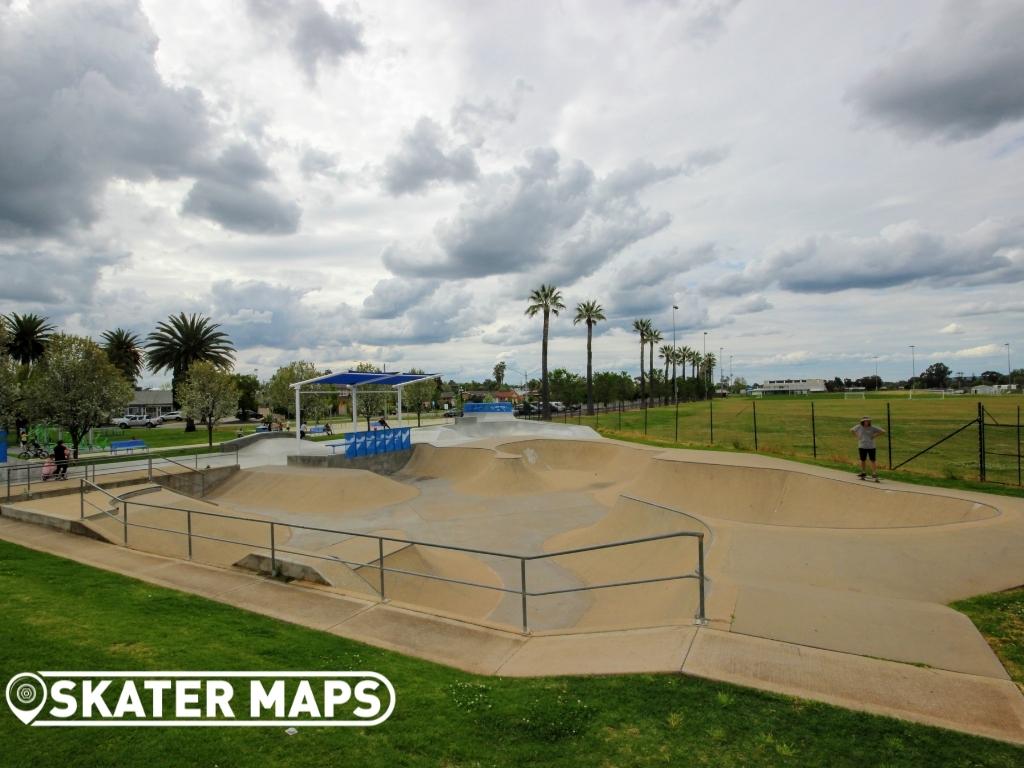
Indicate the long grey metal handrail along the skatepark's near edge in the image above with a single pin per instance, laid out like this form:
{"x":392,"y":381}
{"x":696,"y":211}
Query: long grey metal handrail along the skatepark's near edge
{"x":379,"y":566}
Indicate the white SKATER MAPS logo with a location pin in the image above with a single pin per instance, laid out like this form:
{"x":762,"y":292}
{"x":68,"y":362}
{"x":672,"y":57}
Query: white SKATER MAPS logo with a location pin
{"x":200,"y":699}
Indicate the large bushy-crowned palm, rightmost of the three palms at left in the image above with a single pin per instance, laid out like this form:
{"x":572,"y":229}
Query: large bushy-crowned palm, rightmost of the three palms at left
{"x":183,"y":340}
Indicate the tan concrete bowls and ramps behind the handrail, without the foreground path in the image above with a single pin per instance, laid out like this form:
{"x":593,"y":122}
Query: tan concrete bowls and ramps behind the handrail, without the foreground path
{"x":531,"y":535}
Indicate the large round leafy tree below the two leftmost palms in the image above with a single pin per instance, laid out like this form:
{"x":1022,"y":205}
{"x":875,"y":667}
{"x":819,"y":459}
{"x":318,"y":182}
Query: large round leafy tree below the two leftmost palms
{"x":75,"y":386}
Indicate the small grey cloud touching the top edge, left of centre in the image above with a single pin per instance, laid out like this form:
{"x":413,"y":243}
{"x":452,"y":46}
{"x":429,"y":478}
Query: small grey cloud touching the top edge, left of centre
{"x":315,"y":38}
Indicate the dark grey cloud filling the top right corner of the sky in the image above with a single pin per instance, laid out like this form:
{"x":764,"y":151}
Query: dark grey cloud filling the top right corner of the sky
{"x":963,"y":81}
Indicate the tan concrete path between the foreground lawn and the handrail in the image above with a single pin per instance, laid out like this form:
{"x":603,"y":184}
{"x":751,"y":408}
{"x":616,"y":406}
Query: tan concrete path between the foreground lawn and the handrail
{"x":974,"y":704}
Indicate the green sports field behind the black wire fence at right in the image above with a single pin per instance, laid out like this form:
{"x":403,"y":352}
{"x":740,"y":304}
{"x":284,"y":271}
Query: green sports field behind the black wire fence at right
{"x":785,"y":429}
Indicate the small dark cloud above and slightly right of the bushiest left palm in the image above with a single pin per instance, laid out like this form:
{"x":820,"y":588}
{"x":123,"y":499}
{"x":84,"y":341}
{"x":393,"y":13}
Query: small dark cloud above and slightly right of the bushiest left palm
{"x":232,"y":192}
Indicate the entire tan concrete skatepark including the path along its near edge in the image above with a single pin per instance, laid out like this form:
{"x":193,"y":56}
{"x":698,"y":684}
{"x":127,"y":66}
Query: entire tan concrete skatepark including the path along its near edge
{"x":817,"y":583}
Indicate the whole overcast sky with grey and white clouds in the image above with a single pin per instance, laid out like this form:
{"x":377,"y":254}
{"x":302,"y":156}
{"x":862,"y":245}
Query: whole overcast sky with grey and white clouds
{"x":814,"y":184}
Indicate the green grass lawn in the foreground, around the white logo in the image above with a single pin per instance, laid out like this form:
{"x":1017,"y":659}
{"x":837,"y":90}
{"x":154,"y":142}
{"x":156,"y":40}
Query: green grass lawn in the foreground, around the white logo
{"x":59,"y":615}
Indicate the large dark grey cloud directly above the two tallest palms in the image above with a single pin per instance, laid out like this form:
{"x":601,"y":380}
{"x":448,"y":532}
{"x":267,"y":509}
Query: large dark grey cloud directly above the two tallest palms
{"x":550,"y":219}
